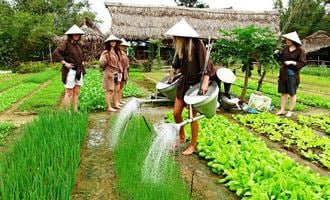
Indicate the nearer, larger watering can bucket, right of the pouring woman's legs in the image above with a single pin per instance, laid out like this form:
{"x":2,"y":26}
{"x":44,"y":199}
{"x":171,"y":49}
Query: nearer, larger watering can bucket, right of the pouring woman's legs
{"x":205,"y":104}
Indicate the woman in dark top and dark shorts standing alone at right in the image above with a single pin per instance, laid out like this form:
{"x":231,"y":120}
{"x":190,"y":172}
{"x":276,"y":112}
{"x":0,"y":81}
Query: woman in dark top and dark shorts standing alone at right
{"x":292,"y":59}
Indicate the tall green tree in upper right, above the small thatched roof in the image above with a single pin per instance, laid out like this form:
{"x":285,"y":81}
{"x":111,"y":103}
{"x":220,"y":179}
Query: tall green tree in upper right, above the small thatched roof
{"x":303,"y":16}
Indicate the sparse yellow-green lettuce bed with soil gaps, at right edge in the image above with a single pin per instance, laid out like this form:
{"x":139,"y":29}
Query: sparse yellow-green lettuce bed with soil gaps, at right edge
{"x":291,"y":135}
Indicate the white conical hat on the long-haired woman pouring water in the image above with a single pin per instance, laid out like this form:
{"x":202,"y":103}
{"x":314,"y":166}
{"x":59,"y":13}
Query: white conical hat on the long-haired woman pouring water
{"x":182,"y":29}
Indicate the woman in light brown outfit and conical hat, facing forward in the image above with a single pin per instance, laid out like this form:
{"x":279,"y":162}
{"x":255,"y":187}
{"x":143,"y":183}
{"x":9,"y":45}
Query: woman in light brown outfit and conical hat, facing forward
{"x":111,"y":65}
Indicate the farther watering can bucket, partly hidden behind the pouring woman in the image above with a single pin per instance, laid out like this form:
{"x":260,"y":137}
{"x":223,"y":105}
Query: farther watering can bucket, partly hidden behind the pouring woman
{"x":168,"y":89}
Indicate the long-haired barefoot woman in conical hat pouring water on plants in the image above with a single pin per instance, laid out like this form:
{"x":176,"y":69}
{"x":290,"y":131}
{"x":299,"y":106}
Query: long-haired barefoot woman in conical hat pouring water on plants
{"x":190,"y":55}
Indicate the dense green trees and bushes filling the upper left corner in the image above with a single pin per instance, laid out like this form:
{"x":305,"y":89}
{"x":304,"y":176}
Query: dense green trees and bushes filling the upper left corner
{"x":30,"y":26}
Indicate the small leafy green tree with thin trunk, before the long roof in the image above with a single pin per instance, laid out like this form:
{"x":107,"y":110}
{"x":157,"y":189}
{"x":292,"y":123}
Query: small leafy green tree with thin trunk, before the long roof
{"x":244,"y":46}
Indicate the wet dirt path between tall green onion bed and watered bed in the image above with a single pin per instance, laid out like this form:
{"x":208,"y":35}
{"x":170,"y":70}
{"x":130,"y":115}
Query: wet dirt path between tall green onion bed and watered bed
{"x":95,"y":178}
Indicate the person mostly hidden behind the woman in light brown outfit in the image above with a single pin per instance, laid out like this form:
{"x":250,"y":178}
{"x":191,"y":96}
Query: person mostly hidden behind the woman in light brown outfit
{"x":125,"y":65}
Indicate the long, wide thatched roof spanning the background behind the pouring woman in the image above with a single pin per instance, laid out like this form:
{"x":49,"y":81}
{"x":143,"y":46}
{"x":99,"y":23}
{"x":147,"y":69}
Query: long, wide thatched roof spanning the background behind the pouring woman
{"x":143,"y":22}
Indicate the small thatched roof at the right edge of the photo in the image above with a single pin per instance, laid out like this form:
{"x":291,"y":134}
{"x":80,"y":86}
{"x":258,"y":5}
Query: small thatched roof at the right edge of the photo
{"x":318,"y":40}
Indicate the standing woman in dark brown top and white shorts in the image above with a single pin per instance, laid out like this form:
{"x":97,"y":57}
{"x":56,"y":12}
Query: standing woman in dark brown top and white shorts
{"x":71,"y":55}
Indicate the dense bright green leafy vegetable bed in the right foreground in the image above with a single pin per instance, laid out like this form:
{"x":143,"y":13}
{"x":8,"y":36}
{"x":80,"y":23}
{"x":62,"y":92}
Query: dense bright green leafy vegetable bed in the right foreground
{"x":251,"y":169}
